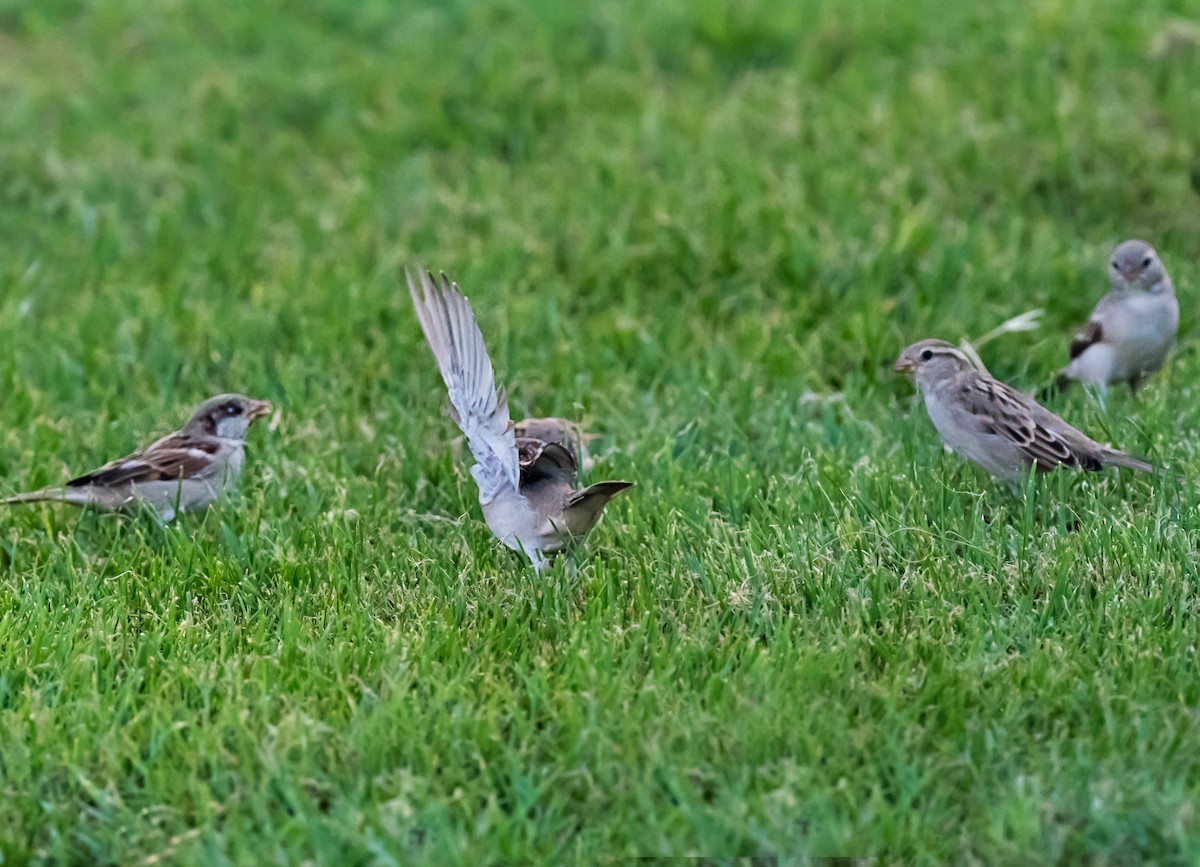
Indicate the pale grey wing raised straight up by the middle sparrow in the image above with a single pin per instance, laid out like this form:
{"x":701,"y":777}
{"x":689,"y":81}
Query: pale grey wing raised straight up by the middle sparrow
{"x":481,"y":409}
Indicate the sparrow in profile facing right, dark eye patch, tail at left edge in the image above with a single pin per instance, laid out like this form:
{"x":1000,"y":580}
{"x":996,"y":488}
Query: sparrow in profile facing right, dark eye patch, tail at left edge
{"x":185,"y":470}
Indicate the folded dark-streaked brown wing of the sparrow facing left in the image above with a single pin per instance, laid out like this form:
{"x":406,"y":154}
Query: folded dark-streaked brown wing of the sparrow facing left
{"x":1045,"y":438}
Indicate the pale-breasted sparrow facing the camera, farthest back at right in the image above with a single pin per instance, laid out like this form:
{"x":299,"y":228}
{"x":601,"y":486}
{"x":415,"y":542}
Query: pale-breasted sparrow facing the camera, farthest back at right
{"x":1133,"y":327}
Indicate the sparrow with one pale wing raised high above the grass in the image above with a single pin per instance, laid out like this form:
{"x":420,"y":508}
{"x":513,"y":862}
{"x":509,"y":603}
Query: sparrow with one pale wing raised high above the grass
{"x":527,"y":482}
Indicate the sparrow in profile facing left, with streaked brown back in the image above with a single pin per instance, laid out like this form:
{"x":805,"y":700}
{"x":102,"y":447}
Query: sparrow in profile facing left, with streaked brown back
{"x":995,"y":426}
